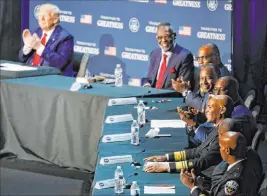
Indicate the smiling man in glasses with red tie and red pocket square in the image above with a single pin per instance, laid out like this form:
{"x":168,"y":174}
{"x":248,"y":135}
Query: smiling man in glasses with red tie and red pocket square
{"x":170,"y":61}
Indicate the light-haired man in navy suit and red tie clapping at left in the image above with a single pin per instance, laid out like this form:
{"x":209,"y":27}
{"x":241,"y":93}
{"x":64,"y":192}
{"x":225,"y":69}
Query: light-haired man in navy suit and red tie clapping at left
{"x":50,"y":44}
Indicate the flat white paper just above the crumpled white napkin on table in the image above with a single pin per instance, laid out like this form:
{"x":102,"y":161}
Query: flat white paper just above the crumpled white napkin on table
{"x":167,"y":123}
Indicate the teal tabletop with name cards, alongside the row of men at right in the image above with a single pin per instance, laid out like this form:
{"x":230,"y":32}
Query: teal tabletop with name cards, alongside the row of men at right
{"x":155,"y":146}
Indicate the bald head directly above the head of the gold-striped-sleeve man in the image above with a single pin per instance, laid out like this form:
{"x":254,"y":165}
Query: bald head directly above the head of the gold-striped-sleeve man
{"x":227,"y":85}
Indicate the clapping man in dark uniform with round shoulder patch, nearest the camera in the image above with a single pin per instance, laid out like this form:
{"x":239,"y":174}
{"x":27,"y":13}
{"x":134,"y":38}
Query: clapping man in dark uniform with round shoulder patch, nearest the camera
{"x":239,"y":173}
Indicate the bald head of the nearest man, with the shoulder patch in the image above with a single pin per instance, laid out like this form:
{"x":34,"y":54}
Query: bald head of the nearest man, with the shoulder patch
{"x":232,"y":144}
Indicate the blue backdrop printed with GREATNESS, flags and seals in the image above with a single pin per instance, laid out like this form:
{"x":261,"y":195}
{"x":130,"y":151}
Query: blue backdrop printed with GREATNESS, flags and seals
{"x":123,"y":31}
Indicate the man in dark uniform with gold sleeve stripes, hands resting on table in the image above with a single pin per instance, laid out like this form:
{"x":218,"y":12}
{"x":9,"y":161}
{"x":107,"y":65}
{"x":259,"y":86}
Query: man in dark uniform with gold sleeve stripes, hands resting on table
{"x":204,"y":156}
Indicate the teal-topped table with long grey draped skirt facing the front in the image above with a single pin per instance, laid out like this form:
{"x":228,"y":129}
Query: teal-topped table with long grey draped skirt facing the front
{"x":41,"y":119}
